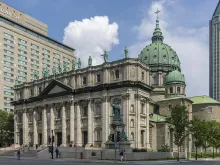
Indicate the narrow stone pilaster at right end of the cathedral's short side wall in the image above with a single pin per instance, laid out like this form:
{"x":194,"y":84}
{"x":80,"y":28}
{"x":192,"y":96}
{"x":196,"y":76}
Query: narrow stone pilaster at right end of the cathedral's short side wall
{"x":147,"y":140}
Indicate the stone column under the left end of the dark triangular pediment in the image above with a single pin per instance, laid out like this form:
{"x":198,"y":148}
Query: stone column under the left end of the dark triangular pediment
{"x":44,"y":126}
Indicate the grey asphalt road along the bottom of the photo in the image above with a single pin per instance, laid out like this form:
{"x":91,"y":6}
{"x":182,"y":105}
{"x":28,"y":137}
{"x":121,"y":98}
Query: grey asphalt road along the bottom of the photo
{"x":34,"y":161}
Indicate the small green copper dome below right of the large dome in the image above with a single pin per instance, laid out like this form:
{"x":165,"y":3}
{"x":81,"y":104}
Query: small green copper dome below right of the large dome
{"x":175,"y":77}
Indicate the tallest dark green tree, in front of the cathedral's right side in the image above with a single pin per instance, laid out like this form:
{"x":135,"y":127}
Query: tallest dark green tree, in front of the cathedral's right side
{"x":179,"y":123}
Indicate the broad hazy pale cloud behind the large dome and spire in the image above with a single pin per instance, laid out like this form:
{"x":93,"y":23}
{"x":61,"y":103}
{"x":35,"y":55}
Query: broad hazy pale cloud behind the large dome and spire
{"x":191,"y":45}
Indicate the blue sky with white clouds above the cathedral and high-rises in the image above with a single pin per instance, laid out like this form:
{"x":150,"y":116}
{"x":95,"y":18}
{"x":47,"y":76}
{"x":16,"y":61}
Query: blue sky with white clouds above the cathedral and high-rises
{"x":92,"y":26}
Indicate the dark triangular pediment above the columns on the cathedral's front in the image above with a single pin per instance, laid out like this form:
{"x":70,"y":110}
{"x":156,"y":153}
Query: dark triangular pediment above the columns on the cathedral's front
{"x":55,"y":87}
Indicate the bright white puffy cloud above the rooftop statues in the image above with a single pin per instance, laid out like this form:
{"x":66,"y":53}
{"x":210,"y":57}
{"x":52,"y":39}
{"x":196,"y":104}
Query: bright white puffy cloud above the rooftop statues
{"x":90,"y":37}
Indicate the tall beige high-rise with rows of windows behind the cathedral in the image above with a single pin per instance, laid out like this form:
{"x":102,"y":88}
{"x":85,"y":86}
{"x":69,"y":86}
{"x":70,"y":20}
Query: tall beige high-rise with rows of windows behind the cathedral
{"x":25,"y":48}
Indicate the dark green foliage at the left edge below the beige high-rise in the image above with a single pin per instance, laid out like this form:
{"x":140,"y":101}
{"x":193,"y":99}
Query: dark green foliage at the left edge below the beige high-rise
{"x":6,"y":127}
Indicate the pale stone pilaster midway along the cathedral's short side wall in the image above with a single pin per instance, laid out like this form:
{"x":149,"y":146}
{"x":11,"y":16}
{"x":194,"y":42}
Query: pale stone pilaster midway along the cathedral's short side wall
{"x":138,"y":119}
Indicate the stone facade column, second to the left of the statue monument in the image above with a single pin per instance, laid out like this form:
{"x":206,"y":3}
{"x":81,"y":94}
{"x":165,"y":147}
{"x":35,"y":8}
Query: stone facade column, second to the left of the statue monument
{"x":89,"y":123}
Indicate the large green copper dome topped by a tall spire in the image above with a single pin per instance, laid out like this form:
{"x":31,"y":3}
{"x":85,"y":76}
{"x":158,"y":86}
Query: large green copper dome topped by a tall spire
{"x":159,"y":54}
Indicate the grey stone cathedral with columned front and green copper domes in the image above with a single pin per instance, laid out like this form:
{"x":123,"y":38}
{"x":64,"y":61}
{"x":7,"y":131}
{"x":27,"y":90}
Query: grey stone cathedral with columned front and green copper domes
{"x":76,"y":105}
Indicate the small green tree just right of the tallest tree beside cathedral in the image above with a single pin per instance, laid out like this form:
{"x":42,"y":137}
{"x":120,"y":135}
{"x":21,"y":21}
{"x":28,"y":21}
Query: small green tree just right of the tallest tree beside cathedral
{"x":197,"y":130}
